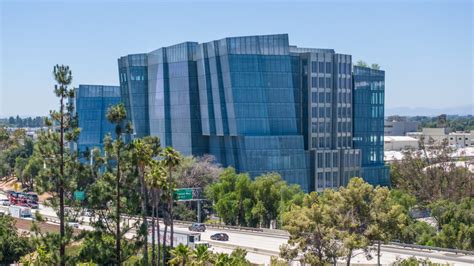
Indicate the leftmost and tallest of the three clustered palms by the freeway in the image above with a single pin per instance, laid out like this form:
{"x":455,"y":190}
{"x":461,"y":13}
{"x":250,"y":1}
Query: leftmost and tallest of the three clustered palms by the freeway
{"x":143,"y":155}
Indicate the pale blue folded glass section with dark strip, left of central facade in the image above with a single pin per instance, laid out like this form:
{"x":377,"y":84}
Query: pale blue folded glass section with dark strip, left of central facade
{"x":174,"y":107}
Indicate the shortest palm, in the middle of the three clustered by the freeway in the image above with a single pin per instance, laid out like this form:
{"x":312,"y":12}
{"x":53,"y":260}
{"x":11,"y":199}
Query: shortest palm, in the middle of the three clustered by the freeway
{"x":156,"y":180}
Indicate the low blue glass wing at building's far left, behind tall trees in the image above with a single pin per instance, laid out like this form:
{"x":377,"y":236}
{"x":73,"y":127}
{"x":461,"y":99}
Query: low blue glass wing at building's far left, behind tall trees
{"x":92,"y":102}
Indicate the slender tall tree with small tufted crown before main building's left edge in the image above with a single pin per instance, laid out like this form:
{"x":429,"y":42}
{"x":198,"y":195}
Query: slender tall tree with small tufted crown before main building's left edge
{"x":116,"y":114}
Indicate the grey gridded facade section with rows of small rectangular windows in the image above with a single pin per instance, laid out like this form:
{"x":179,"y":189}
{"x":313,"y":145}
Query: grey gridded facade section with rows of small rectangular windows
{"x":325,"y":102}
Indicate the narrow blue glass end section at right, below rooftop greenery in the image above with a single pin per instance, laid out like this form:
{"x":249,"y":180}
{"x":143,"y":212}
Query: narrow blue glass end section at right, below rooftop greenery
{"x":369,"y":94}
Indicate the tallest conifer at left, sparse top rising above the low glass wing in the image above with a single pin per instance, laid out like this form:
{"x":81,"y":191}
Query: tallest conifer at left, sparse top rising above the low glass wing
{"x":51,"y":148}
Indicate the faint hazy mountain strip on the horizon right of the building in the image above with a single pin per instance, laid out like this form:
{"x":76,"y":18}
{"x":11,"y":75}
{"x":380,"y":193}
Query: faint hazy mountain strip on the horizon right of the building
{"x":430,"y":111}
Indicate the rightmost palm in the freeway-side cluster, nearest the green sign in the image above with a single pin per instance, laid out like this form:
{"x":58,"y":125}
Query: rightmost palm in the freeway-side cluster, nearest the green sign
{"x":171,"y":159}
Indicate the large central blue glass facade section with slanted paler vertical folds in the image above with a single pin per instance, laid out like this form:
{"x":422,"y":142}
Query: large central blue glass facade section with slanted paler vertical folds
{"x":246,"y":92}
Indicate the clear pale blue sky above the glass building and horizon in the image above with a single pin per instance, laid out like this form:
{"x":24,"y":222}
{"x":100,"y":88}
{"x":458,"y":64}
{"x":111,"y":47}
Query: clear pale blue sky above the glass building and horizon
{"x":425,"y":47}
